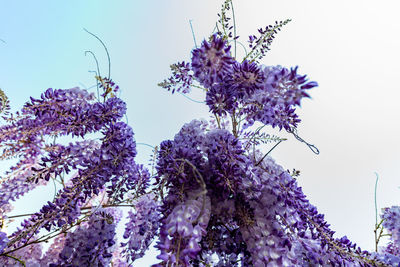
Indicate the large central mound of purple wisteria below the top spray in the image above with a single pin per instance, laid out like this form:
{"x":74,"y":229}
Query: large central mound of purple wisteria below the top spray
{"x":254,"y":204}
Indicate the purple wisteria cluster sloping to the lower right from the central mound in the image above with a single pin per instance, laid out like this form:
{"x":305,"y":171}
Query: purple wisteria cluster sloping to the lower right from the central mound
{"x":287,"y":229}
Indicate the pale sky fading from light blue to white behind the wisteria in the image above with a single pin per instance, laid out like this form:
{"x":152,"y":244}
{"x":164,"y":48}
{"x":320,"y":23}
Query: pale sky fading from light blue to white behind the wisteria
{"x":349,"y":47}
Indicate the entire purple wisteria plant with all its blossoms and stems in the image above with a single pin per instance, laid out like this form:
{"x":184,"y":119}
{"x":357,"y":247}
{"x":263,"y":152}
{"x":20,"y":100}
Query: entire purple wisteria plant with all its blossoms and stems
{"x":215,"y":199}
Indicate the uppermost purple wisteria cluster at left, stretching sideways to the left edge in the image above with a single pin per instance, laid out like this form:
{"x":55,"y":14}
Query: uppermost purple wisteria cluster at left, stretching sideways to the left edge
{"x":63,"y":112}
